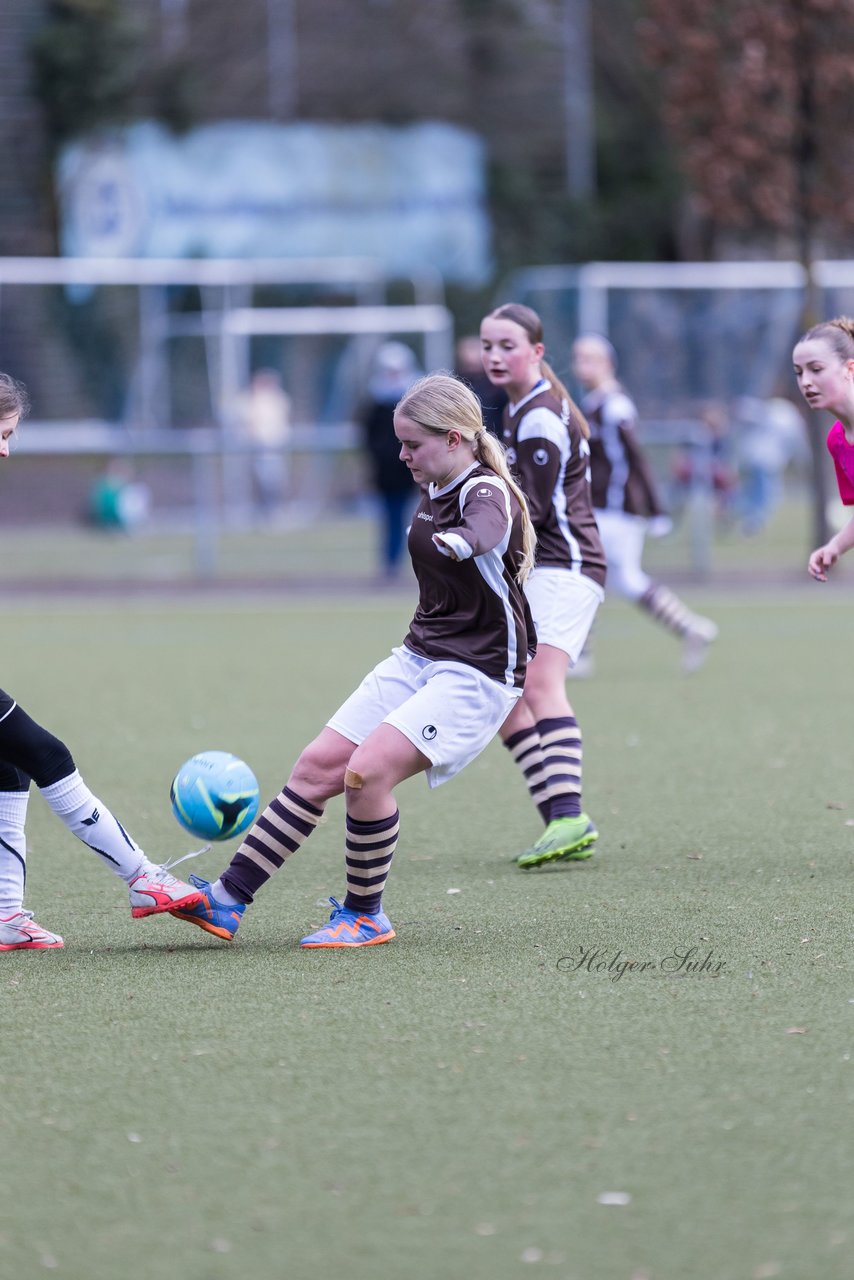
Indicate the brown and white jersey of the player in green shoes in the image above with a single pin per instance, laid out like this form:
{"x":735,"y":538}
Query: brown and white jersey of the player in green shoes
{"x":550,"y":456}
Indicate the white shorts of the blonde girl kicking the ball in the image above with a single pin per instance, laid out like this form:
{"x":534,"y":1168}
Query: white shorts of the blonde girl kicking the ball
{"x":449,"y":711}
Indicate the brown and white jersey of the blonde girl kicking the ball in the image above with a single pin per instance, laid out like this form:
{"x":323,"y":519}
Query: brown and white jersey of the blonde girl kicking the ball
{"x":472,"y":610}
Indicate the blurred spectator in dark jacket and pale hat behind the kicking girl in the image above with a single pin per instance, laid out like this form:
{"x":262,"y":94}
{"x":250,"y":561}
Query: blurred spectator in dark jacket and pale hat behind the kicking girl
{"x":395,"y":371}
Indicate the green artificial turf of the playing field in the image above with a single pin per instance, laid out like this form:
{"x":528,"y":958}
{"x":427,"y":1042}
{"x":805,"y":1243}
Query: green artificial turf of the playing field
{"x":456,"y":1104}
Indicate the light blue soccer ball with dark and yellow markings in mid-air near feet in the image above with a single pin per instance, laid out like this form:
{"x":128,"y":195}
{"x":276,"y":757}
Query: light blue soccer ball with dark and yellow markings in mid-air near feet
{"x":216,"y":796}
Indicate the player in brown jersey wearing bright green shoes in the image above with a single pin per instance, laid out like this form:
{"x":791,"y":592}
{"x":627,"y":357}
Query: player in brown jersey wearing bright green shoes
{"x":546,"y":440}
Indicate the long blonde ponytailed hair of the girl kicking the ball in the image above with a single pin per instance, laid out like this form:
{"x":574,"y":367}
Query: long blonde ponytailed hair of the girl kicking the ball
{"x":440,"y":404}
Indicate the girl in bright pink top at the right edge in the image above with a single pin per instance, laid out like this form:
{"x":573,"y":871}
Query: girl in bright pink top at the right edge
{"x":824,"y":362}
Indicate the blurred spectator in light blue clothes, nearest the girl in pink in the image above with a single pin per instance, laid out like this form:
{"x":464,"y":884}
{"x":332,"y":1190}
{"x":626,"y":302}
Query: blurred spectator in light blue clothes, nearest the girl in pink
{"x":769,"y":436}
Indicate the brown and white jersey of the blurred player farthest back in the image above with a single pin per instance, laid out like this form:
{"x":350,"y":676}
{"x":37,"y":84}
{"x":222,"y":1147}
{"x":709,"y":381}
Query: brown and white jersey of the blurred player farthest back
{"x":620,"y":474}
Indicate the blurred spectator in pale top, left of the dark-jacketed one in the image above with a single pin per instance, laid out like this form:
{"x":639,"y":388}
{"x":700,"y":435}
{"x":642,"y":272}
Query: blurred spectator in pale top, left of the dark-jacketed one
{"x":263,"y":414}
